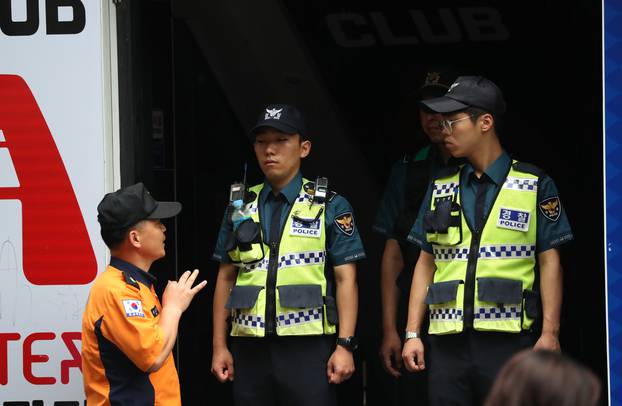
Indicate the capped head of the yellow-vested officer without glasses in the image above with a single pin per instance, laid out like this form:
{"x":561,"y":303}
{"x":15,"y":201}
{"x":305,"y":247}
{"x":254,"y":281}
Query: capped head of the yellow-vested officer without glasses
{"x":281,"y":142}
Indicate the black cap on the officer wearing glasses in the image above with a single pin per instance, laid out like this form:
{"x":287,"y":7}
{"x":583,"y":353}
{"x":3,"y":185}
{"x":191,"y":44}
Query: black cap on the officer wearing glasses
{"x":469,"y":91}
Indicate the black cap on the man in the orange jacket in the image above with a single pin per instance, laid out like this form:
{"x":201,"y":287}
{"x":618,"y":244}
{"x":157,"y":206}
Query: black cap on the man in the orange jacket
{"x":129,"y":205}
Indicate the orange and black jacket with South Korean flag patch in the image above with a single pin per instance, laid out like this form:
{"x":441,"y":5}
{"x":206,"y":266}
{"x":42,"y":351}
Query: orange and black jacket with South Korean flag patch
{"x":121,"y":339}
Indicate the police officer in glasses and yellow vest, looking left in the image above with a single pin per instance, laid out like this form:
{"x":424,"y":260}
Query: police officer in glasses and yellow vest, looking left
{"x":489,"y":233}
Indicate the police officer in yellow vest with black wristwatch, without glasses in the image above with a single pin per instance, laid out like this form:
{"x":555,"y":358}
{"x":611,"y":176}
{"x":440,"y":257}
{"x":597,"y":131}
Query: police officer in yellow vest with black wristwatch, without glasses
{"x":287,"y":278}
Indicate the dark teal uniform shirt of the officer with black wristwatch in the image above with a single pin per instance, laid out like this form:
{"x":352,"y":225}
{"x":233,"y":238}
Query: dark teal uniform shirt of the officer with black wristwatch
{"x":340,"y":247}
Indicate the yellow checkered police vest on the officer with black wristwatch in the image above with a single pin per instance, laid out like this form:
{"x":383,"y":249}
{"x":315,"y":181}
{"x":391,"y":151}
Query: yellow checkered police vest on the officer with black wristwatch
{"x":300,"y":284}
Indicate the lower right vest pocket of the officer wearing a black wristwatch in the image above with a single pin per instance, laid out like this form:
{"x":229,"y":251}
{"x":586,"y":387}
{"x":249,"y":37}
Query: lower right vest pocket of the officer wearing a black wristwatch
{"x":299,"y":310}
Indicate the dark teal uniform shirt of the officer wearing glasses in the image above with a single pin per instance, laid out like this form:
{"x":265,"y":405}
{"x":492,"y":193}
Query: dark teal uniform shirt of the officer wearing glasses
{"x":549,"y":233}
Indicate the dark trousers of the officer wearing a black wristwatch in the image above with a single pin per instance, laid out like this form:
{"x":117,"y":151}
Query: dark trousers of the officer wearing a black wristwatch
{"x":282,"y":371}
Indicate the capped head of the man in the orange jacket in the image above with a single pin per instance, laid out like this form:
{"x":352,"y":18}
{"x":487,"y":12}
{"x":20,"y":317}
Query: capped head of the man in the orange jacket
{"x":130,"y":224}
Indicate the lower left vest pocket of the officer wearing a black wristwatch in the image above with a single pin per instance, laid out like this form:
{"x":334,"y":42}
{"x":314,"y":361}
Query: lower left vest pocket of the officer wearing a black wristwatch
{"x":247,"y":305}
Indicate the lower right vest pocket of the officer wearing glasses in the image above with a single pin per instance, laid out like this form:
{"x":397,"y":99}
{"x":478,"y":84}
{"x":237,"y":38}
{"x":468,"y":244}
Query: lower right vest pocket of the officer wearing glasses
{"x":498,"y":306}
